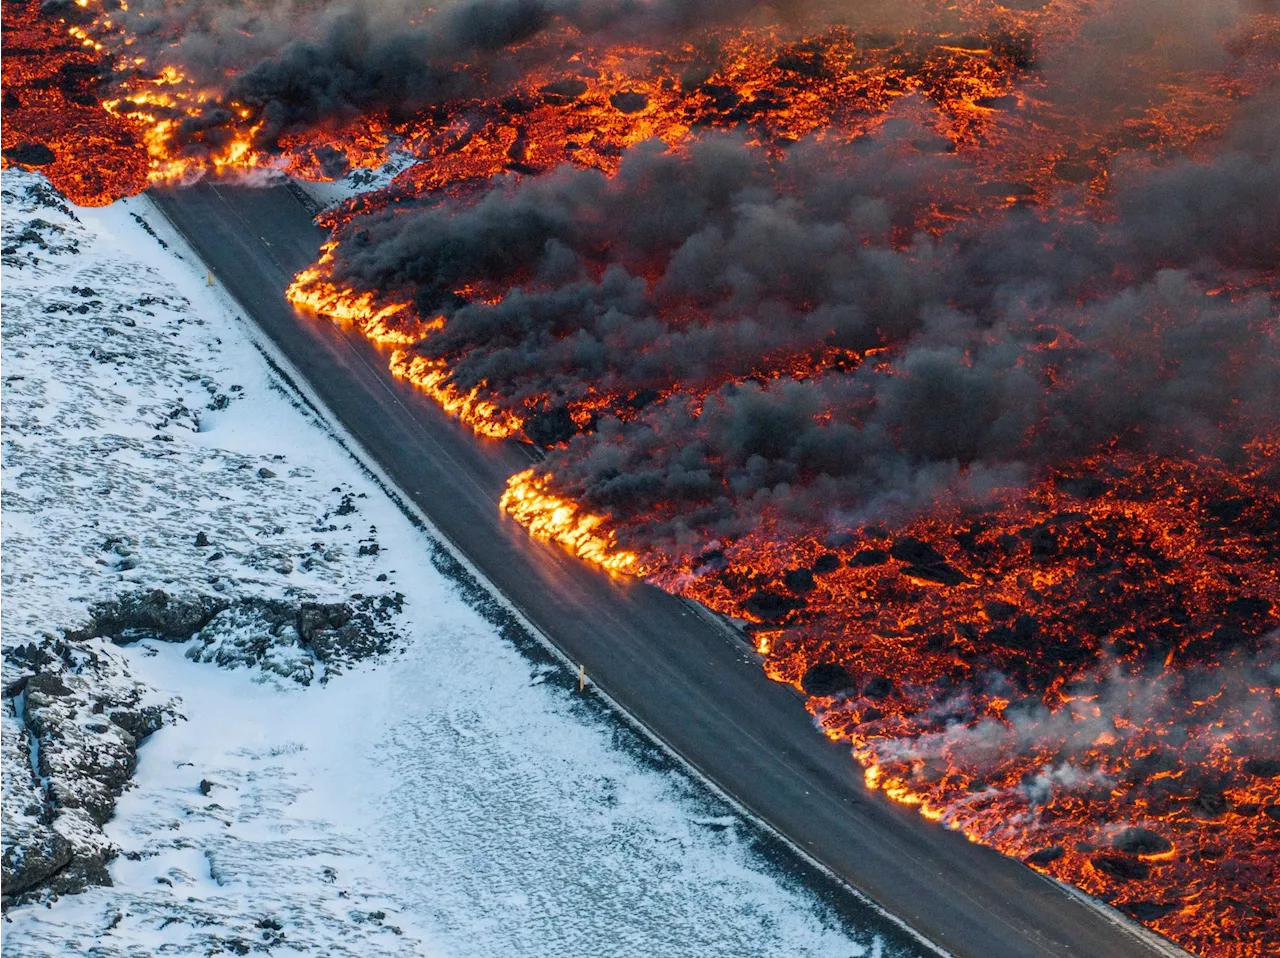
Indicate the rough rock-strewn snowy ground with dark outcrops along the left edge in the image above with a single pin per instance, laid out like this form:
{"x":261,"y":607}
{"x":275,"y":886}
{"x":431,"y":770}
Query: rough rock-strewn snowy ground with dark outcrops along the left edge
{"x":116,"y":498}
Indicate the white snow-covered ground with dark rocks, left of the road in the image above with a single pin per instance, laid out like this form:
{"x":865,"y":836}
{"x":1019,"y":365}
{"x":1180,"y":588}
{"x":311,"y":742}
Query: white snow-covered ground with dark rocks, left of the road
{"x":243,"y":687}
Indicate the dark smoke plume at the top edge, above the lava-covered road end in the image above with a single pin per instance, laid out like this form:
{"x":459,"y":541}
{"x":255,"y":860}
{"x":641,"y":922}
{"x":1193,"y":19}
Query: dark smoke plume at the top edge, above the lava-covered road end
{"x":301,"y":65}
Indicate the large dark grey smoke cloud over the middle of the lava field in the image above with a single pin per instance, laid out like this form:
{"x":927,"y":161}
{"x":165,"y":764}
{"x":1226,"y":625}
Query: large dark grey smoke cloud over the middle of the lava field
{"x":1017,"y":343}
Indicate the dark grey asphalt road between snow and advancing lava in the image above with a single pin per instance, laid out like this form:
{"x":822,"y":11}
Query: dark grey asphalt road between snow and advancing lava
{"x":688,"y":681}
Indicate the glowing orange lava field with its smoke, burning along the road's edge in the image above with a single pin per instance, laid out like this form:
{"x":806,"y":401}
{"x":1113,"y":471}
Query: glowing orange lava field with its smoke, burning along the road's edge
{"x":938,"y":343}
